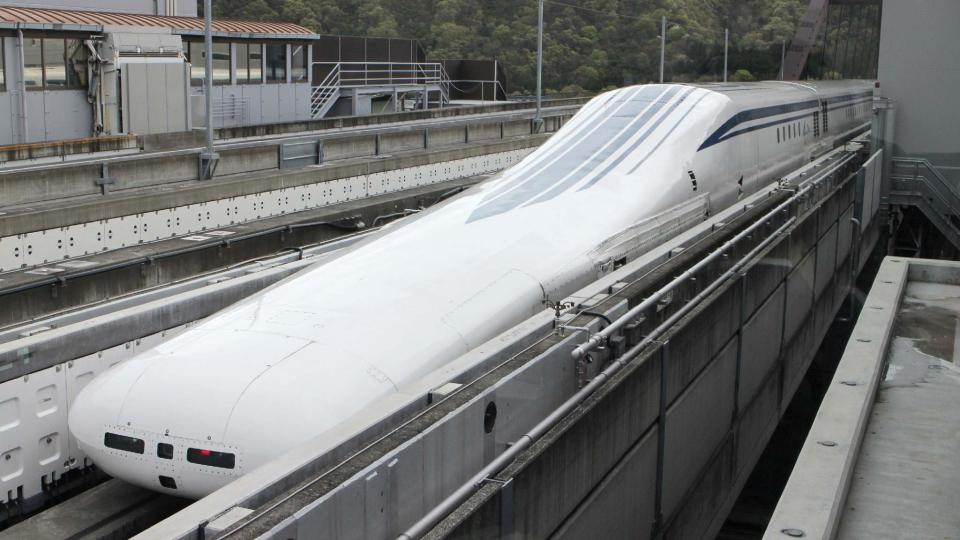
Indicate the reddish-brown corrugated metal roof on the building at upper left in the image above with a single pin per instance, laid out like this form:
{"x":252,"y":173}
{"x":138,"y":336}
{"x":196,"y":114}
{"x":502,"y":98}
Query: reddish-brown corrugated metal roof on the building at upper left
{"x":72,"y":17}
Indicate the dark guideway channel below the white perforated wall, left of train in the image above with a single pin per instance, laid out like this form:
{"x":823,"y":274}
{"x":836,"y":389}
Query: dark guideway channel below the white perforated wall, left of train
{"x":35,"y":292}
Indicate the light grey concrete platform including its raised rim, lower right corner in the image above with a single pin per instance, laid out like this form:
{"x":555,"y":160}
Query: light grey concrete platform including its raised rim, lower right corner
{"x":880,"y":460}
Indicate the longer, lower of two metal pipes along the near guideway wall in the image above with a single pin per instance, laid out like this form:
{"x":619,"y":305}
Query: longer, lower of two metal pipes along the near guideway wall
{"x":450,"y":503}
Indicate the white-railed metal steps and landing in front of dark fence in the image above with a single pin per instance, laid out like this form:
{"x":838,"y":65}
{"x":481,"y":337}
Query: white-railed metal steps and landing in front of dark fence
{"x":425,"y":78}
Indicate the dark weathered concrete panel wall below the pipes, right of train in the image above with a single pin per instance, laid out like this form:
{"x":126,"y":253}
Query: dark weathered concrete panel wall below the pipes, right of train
{"x":727,"y":371}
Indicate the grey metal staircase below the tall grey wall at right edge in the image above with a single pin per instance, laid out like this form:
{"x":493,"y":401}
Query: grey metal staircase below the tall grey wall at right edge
{"x":916,"y":182}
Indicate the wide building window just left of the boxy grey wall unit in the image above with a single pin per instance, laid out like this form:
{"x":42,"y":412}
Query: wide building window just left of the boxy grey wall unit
{"x":55,"y":64}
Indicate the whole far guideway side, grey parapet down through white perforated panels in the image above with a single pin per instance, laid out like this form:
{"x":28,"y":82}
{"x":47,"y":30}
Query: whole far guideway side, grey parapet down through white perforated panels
{"x":60,"y":213}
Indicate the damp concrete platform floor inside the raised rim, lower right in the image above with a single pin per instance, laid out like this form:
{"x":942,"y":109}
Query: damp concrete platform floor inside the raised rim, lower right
{"x":906,"y":483}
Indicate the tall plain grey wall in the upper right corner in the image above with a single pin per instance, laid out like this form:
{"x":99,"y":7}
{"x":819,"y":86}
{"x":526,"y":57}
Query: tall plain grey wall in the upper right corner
{"x":918,"y":68}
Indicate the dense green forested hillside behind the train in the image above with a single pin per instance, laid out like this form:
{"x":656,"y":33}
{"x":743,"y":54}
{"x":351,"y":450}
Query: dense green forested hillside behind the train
{"x":589,"y":45}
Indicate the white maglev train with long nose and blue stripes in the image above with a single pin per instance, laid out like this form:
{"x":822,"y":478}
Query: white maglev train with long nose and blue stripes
{"x":302,"y":358}
